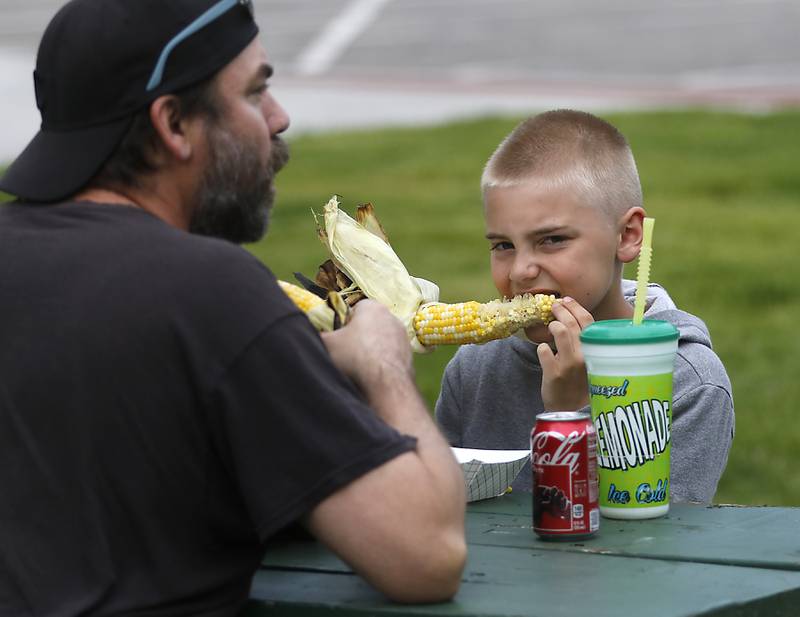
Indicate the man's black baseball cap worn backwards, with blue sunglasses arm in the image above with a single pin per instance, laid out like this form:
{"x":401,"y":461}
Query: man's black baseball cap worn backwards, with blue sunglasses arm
{"x":102,"y":61}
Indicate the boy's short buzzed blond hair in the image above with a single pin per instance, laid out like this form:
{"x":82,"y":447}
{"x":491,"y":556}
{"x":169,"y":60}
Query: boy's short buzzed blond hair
{"x":568,"y":149}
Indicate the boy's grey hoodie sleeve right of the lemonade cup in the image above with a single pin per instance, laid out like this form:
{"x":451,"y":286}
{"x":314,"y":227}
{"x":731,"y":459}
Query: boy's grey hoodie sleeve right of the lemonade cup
{"x":702,"y":433}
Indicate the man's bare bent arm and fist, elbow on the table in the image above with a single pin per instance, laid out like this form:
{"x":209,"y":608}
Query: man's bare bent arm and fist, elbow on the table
{"x":401,"y":525}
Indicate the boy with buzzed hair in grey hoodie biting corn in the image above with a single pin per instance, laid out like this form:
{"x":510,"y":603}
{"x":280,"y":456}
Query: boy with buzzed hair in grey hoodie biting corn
{"x":563,"y":212}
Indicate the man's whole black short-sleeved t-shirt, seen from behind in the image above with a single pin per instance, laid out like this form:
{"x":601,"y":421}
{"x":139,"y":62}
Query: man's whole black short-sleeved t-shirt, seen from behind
{"x":164,"y":409}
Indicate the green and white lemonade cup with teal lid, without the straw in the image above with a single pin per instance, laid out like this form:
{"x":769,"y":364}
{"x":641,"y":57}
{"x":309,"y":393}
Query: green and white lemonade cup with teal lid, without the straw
{"x":630,"y":386}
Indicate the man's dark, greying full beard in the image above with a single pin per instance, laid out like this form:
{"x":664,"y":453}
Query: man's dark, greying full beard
{"x":237,"y":190}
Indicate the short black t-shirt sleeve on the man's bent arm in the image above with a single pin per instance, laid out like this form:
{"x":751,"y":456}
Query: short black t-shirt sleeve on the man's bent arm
{"x":295,"y":430}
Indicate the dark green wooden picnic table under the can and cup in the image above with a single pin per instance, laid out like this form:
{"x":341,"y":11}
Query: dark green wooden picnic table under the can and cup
{"x":698,"y":560}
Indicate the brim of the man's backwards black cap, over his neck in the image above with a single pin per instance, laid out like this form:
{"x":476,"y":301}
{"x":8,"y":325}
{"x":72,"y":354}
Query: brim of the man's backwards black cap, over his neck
{"x":56,"y":164}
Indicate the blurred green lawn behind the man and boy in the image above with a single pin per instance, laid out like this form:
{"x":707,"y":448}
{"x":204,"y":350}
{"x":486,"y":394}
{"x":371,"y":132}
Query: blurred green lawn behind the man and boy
{"x":724,"y":189}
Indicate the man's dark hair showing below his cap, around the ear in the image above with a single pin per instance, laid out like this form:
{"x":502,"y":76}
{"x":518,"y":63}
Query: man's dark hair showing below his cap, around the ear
{"x":133,"y":157}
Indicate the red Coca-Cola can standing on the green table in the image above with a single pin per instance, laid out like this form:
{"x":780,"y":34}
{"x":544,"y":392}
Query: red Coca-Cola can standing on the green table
{"x":564,"y":461}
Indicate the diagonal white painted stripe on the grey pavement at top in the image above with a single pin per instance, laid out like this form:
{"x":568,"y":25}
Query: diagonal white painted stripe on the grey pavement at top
{"x":340,"y":32}
